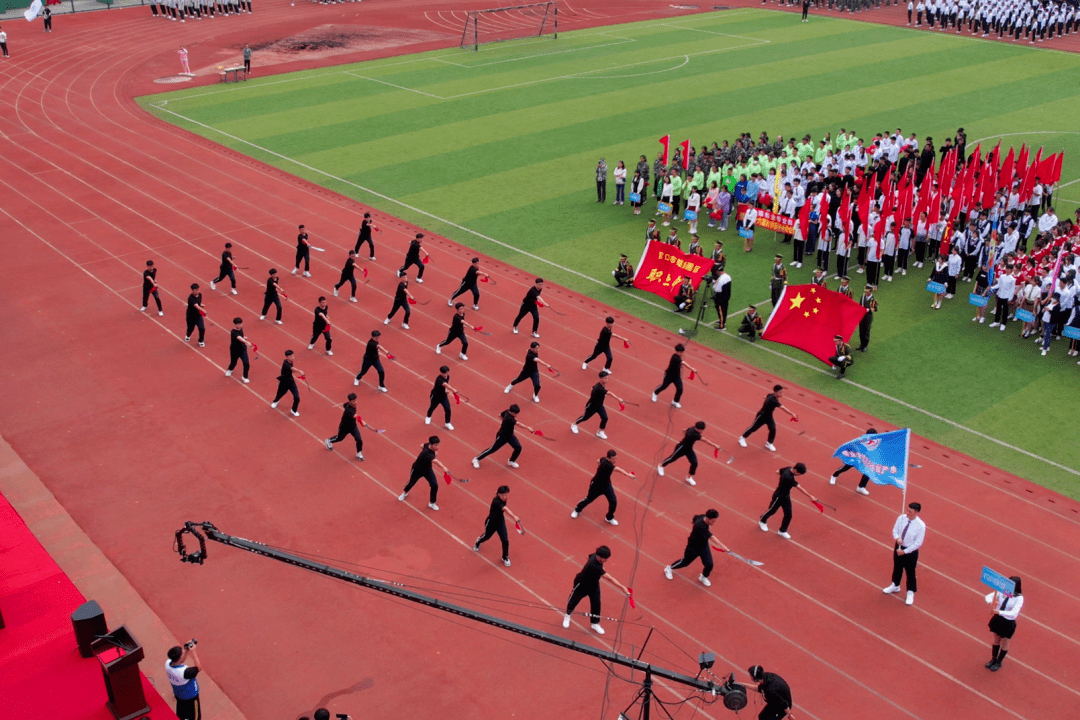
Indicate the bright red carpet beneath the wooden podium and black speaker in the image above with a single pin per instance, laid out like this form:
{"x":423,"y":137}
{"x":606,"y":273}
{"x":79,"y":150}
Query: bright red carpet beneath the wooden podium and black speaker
{"x":42,"y":673}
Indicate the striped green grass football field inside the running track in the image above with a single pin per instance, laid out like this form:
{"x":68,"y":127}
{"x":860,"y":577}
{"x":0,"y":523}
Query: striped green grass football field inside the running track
{"x":496,"y":150}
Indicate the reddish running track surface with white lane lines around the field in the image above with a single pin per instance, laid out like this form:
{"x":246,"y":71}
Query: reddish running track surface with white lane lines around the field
{"x":136,"y":432}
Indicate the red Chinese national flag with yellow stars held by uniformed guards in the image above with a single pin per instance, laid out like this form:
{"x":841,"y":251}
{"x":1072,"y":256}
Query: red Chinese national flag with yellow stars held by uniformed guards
{"x":807,"y":317}
